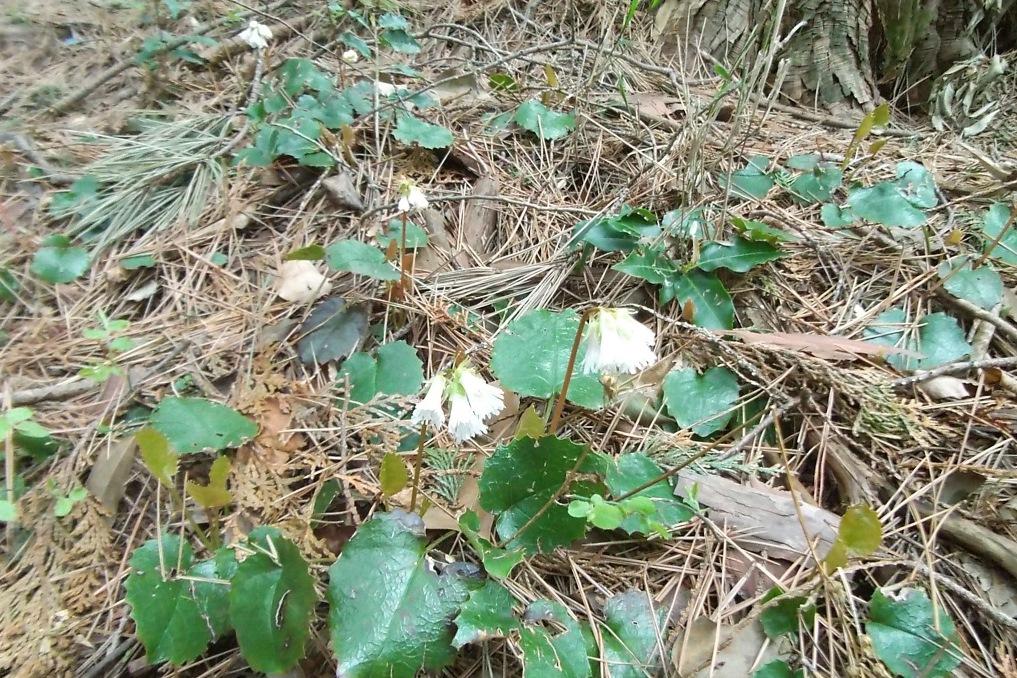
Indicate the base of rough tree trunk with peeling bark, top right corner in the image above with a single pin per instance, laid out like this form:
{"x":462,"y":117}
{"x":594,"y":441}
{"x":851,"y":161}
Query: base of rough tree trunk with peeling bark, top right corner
{"x":846,"y":52}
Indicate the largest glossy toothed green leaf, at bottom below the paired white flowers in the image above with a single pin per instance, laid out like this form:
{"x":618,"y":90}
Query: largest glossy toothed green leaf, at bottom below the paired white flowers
{"x":390,"y":615}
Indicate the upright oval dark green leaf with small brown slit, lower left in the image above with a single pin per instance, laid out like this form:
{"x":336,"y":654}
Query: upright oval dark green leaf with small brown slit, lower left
{"x":272,"y":601}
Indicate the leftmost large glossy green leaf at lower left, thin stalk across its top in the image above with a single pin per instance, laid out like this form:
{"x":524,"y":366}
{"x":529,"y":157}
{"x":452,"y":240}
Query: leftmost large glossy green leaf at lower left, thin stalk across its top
{"x":168,"y":620}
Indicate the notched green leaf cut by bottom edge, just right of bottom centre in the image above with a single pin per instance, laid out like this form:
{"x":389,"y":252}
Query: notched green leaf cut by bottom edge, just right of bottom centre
{"x":553,"y":655}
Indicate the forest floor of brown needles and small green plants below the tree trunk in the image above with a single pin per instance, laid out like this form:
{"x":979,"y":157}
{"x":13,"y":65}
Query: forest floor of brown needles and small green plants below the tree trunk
{"x":829,"y":357}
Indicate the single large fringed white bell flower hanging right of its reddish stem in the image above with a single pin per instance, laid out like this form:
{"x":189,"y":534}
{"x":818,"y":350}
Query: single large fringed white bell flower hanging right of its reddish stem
{"x":618,"y":343}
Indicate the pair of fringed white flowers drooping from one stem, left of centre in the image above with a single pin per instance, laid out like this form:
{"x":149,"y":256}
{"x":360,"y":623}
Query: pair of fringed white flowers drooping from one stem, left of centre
{"x":472,"y":402}
